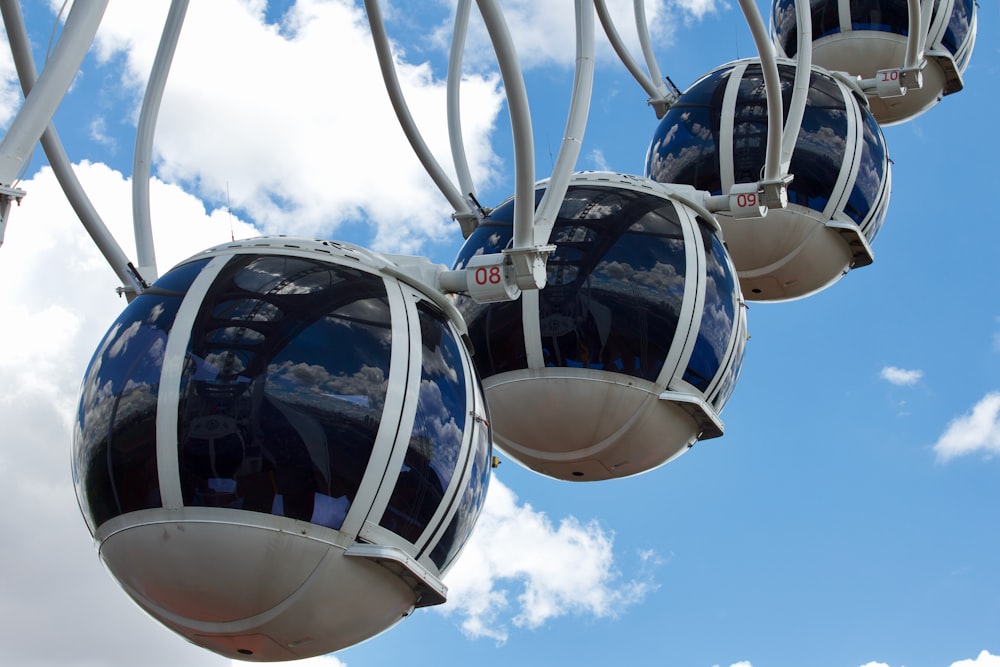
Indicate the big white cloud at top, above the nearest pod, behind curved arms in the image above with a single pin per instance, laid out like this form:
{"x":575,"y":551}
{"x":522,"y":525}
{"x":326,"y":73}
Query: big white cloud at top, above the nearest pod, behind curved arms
{"x":299,"y":141}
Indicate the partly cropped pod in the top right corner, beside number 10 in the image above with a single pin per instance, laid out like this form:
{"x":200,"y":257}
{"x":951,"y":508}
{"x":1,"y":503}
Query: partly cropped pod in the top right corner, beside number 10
{"x":864,"y":36}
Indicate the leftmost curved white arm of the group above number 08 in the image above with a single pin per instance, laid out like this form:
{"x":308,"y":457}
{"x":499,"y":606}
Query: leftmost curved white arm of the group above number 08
{"x":384,"y":52}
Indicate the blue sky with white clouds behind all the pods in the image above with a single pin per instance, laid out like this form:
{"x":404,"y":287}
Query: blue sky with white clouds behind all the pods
{"x":850,"y":516}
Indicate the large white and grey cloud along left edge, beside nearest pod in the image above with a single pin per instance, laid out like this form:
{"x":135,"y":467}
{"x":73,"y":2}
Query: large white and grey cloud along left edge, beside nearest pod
{"x":59,"y":297}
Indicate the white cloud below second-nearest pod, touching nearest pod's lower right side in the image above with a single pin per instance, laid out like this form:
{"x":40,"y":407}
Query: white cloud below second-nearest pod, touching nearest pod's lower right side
{"x":553,"y":570}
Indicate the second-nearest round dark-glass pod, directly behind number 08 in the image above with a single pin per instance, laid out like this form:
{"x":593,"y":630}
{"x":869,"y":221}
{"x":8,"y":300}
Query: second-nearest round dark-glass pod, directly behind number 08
{"x":633,"y":346}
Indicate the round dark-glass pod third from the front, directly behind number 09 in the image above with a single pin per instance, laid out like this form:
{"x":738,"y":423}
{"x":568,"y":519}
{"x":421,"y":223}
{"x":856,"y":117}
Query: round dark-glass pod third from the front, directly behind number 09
{"x":714,"y":136}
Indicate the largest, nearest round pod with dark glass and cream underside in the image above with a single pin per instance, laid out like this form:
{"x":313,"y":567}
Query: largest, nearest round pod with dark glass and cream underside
{"x":282,"y":446}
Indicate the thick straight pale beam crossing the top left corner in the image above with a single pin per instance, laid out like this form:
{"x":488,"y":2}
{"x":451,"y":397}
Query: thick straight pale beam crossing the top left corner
{"x":50,"y":88}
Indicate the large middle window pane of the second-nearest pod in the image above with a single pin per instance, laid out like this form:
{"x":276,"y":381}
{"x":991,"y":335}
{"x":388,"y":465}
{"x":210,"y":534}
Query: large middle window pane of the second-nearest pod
{"x":620,"y":310}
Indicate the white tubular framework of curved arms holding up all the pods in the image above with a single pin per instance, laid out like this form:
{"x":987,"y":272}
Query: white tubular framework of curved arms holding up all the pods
{"x":524,"y":262}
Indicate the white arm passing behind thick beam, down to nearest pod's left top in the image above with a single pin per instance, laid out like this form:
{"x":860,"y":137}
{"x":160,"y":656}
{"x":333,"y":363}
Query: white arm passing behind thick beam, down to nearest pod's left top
{"x":132,"y":282}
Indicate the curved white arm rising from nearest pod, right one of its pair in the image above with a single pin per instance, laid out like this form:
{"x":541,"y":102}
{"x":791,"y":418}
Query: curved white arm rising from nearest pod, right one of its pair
{"x":141,"y":219}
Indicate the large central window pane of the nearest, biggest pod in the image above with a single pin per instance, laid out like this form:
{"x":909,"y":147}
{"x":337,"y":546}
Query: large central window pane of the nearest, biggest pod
{"x":284,"y":388}
